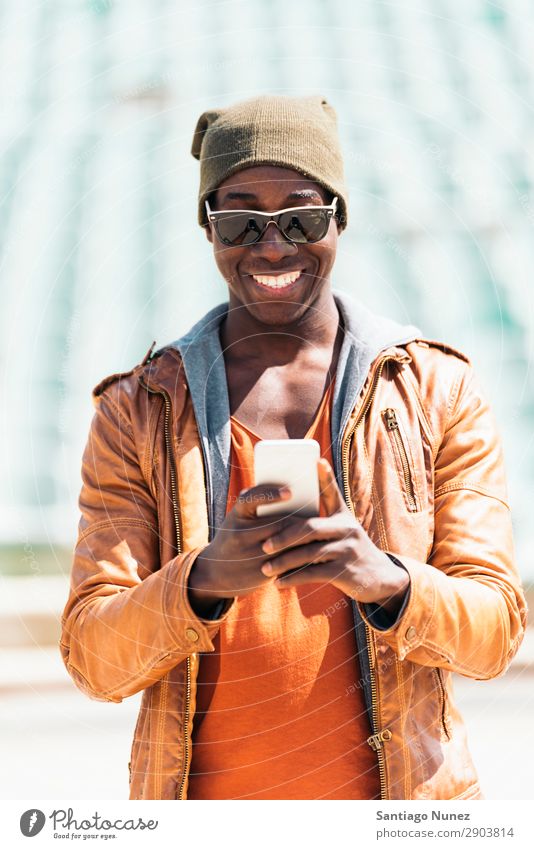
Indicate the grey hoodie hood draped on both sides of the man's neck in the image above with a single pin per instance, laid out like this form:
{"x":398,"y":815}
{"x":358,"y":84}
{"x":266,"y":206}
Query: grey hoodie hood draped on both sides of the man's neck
{"x":366,"y":335}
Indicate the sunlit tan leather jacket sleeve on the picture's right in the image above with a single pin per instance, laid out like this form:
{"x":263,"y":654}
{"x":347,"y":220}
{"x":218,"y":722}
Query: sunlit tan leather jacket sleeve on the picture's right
{"x":465,"y":609}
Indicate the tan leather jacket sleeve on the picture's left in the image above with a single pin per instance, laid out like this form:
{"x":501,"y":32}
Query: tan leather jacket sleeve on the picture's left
{"x":127,"y":620}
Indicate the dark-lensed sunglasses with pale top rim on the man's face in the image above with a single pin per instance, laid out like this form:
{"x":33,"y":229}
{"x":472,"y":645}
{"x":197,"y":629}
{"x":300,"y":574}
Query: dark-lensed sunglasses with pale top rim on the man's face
{"x":300,"y":224}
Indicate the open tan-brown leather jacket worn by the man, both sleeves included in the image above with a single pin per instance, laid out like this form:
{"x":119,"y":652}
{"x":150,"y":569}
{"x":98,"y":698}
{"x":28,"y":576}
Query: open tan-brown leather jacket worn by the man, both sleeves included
{"x":423,"y":471}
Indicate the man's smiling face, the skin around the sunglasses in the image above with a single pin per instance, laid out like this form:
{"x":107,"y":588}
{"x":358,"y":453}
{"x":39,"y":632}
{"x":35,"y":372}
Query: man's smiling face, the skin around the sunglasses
{"x":269,"y":188}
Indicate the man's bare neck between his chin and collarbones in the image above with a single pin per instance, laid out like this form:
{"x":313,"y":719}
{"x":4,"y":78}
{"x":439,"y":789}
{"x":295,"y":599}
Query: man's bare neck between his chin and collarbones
{"x":245,"y":336}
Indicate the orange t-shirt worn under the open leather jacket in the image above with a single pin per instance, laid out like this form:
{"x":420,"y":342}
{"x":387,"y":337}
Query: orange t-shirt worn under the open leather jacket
{"x":280,"y":713}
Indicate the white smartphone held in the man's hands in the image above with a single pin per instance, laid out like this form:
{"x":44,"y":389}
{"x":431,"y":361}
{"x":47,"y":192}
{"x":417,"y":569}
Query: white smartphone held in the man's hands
{"x":292,"y":462}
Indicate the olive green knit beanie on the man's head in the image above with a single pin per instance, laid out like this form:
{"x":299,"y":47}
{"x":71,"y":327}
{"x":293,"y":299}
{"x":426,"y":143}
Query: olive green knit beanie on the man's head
{"x":292,"y":132}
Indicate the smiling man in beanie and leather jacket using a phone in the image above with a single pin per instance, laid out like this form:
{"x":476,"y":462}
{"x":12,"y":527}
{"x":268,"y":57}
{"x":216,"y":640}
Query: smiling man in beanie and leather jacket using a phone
{"x":288,"y":658}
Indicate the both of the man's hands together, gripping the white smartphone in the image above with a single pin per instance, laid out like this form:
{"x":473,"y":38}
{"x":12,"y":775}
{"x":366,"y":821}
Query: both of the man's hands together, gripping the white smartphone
{"x":248,"y":551}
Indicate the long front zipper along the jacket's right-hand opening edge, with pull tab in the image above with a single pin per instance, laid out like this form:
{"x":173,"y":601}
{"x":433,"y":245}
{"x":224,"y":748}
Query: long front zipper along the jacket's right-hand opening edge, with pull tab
{"x":378,"y":737}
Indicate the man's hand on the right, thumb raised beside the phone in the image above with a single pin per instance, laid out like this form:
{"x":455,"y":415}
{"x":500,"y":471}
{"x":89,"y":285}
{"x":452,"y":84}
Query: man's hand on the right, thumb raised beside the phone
{"x":334,"y":549}
